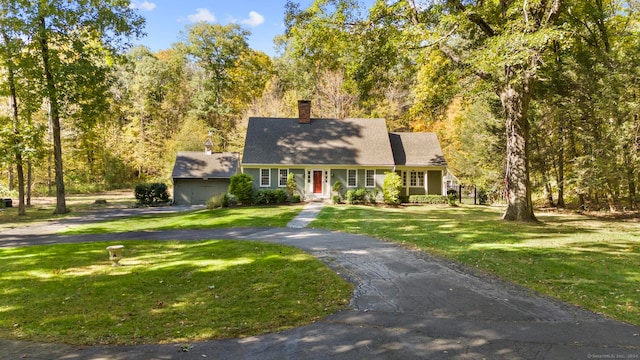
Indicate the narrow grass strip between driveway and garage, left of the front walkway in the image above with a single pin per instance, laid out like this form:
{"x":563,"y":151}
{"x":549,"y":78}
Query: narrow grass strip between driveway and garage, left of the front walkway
{"x":260,"y":216}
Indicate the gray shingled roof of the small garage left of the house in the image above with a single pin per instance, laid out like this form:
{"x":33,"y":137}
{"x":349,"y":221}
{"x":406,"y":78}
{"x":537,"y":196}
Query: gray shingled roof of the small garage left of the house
{"x":198,"y":165}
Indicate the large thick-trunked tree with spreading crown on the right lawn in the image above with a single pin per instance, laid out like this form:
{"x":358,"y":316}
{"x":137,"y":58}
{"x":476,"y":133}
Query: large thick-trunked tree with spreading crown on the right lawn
{"x":500,"y":44}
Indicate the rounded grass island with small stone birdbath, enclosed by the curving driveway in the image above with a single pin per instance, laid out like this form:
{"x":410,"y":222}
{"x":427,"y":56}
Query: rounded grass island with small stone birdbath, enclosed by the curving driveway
{"x":164,"y":292}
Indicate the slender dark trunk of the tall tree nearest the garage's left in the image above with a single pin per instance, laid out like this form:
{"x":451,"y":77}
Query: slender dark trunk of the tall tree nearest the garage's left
{"x":61,"y":207}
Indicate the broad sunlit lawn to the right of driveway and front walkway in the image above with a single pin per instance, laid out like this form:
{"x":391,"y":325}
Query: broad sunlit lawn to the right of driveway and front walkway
{"x":589,"y":262}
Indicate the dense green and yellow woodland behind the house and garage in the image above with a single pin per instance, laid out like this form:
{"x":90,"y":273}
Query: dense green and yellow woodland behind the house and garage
{"x":527,"y":97}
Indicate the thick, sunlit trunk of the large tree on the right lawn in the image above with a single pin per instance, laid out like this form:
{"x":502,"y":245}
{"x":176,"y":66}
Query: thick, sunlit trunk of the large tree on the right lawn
{"x":515,"y":102}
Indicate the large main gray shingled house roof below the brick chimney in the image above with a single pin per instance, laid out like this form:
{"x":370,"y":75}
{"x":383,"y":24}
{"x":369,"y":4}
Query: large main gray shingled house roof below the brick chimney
{"x":362,"y":142}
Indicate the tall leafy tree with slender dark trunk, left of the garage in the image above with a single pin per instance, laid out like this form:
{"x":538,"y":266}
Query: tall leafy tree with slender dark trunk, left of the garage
{"x":64,"y":34}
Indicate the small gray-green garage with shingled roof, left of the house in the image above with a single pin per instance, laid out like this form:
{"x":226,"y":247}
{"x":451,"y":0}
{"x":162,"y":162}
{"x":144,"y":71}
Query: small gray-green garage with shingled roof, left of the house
{"x":197,"y":176}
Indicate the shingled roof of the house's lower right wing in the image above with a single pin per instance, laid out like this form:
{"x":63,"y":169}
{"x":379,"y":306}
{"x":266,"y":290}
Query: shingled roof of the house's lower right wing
{"x":417,"y":149}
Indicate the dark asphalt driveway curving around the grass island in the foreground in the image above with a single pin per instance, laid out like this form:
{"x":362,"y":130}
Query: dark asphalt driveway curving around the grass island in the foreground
{"x":407,"y":305}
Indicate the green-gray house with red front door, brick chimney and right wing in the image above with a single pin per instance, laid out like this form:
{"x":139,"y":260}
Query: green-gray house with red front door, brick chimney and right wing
{"x":356,"y":152}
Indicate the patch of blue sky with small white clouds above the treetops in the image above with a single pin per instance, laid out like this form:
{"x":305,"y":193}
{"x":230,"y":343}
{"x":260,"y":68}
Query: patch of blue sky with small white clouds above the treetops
{"x":167,"y":18}
